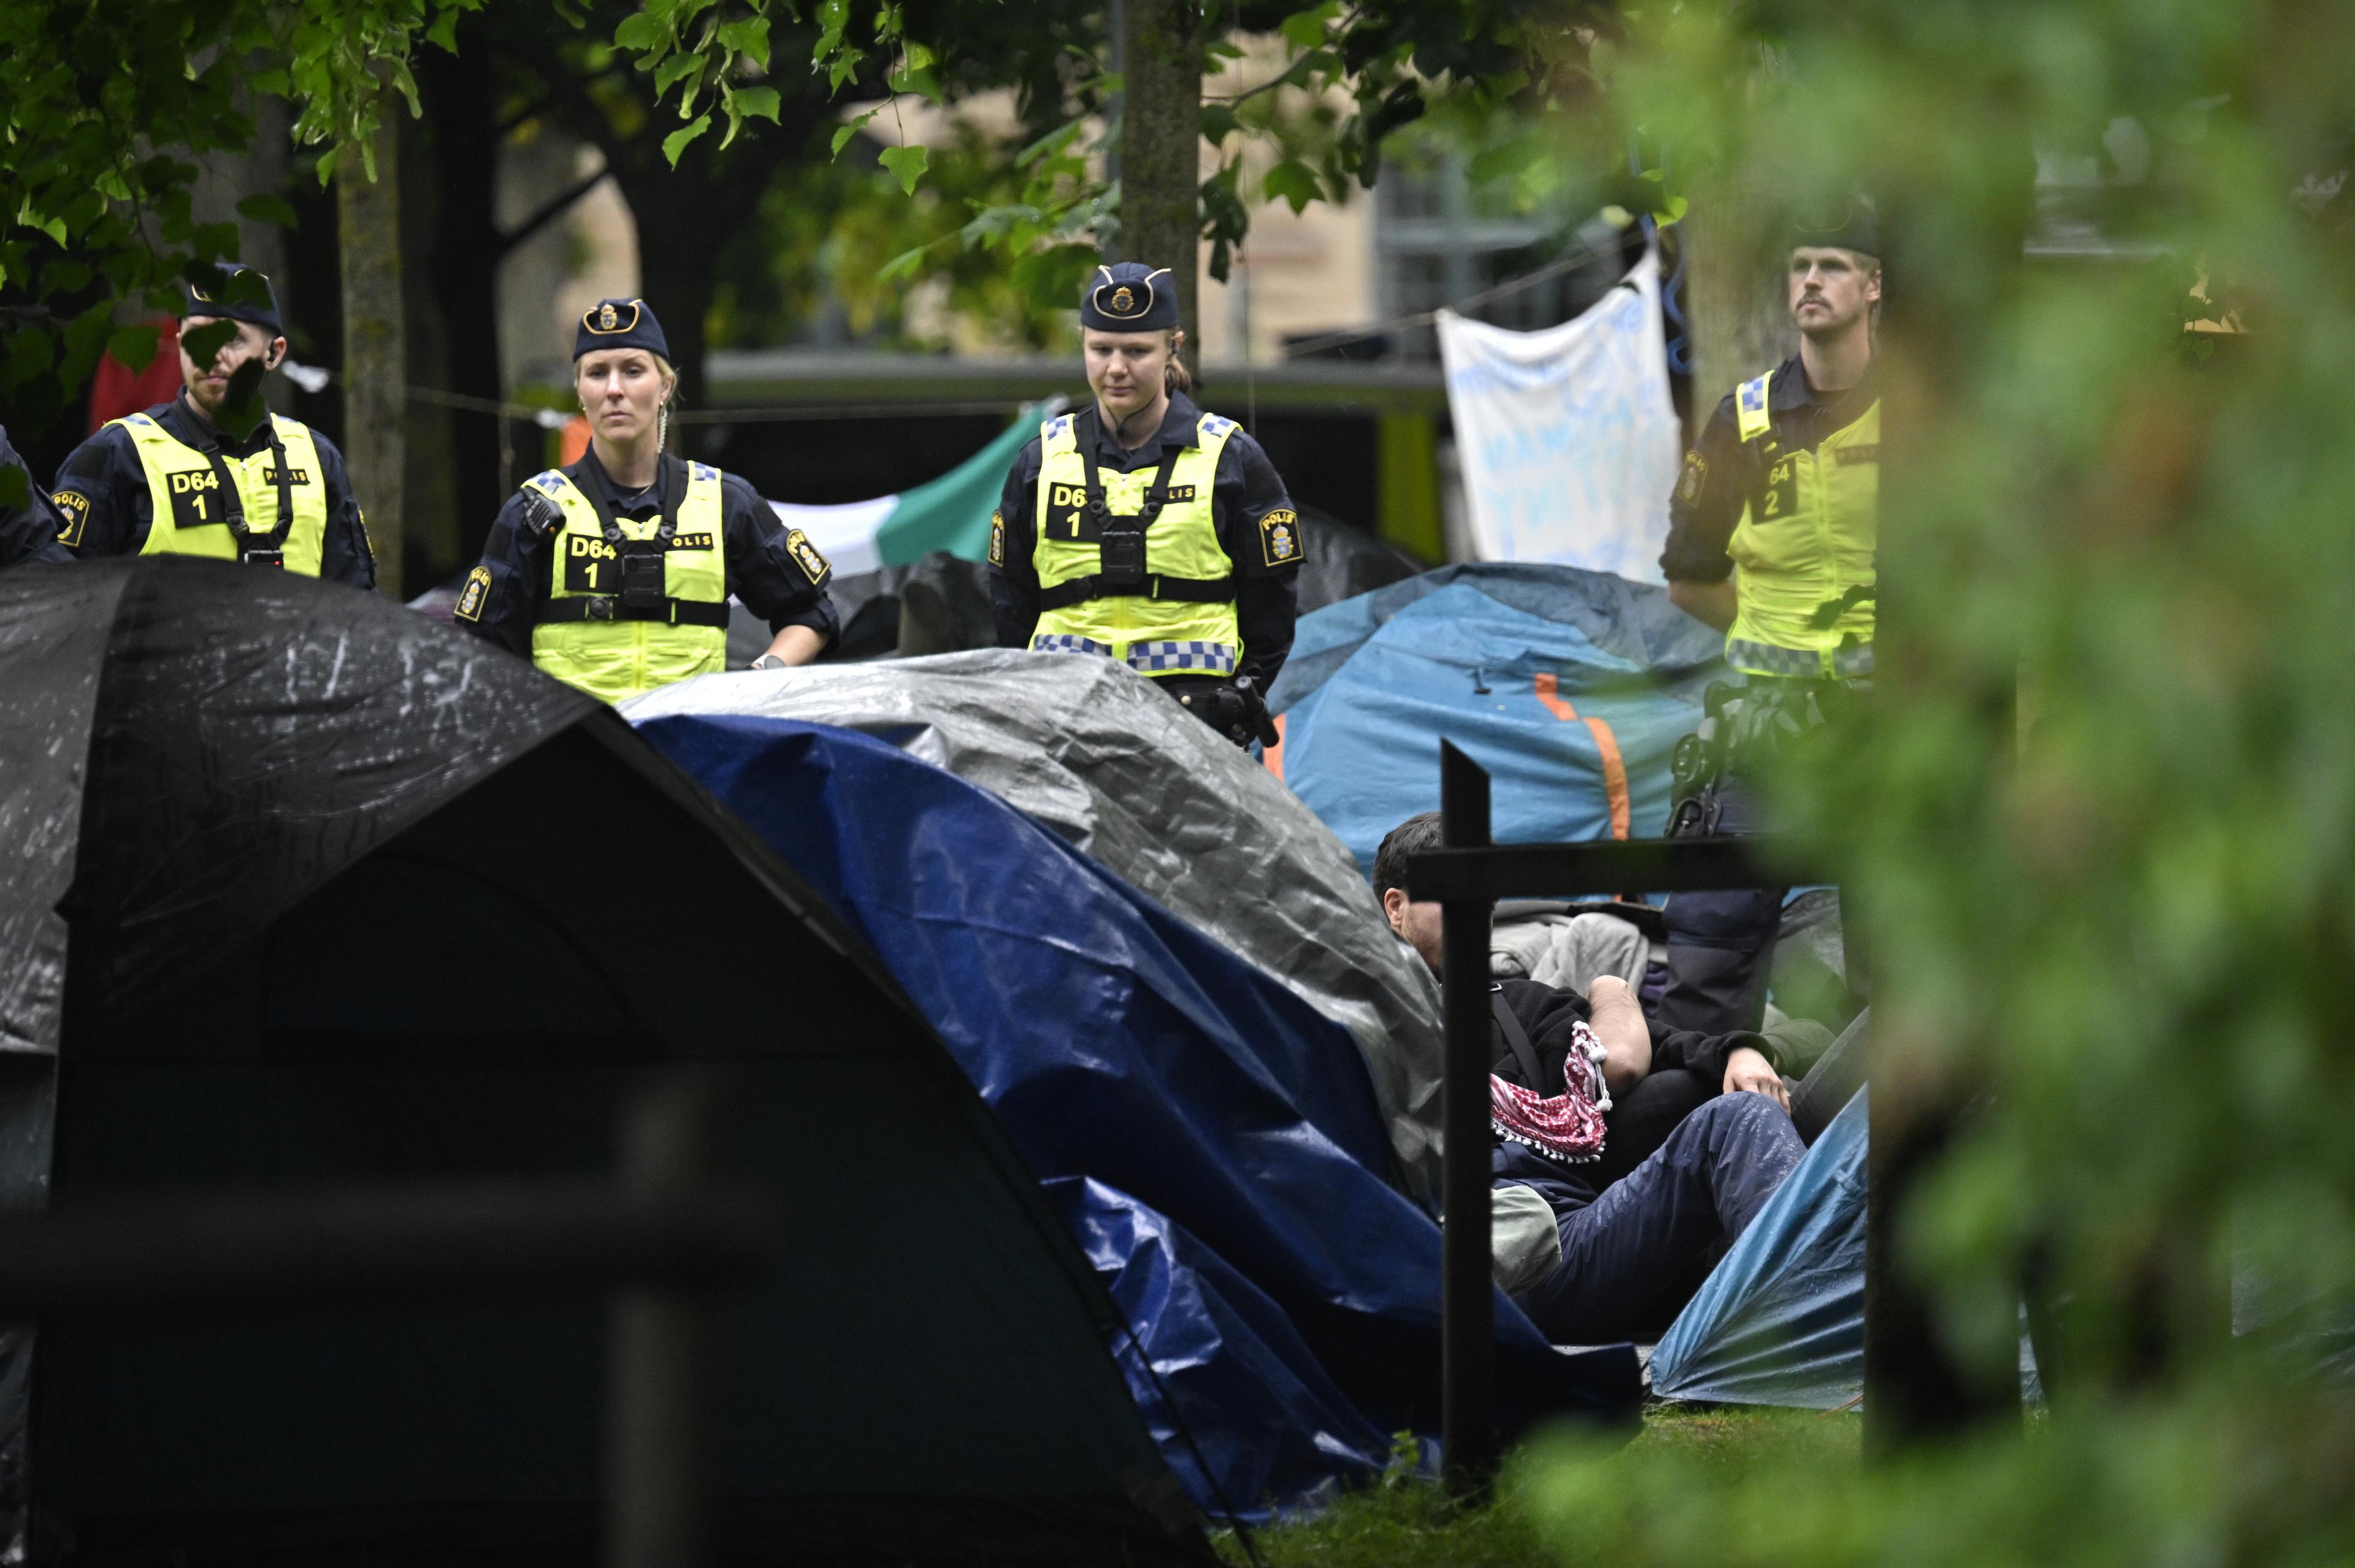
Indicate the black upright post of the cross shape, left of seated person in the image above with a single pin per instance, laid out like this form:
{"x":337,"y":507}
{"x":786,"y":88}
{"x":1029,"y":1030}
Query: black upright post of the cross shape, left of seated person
{"x":1468,"y":1296}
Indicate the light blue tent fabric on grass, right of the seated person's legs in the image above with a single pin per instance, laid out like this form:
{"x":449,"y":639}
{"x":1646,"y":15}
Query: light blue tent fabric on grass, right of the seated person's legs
{"x":1782,"y":1320}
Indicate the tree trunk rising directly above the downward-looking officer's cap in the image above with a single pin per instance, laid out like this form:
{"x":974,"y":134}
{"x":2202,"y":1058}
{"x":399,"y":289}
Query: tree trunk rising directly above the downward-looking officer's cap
{"x":1162,"y":145}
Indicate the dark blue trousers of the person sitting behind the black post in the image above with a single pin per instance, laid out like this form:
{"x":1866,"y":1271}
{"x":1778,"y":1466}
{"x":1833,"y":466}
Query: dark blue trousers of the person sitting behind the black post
{"x":1633,"y":1256}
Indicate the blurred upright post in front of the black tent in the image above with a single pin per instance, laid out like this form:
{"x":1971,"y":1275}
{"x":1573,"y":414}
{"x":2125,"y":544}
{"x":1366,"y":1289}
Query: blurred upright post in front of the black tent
{"x":661,"y":1381}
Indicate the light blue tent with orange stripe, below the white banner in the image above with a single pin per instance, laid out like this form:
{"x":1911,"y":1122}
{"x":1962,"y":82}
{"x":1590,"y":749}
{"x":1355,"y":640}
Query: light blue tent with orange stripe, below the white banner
{"x":1572,"y":689}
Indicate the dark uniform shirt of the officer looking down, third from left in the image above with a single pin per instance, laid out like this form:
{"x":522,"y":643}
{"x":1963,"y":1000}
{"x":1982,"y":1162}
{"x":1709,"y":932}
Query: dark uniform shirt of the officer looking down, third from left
{"x":1247,"y":489}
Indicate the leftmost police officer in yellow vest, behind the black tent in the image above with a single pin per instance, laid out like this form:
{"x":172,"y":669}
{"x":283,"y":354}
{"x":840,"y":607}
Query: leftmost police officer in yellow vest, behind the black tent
{"x":173,"y":481}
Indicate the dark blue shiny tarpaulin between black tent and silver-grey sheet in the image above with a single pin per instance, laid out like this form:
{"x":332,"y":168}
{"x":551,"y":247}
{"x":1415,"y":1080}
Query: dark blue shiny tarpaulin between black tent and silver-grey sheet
{"x":1207,"y":1134}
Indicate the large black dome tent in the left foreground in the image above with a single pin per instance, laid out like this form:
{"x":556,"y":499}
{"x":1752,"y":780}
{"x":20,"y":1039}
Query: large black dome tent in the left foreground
{"x":307,"y":889}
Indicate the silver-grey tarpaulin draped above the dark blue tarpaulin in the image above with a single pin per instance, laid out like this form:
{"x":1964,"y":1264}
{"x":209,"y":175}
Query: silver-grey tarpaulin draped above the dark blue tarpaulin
{"x":1120,"y":771}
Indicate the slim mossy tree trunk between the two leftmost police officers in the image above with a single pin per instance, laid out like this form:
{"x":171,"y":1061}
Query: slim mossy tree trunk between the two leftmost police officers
{"x":376,"y":361}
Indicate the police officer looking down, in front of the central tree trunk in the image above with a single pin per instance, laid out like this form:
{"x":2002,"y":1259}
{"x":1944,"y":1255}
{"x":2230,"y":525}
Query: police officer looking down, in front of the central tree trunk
{"x":1148,"y":531}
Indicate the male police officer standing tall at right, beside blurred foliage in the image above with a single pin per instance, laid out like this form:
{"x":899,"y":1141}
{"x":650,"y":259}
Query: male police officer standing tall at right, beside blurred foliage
{"x":1772,"y":540}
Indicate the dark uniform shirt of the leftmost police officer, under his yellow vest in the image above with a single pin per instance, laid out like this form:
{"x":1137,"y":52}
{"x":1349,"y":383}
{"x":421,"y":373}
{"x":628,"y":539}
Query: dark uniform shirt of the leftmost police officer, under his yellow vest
{"x":107,"y":505}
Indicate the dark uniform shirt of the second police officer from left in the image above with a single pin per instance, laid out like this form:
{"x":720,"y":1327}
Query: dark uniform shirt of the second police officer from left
{"x":762,"y":571}
